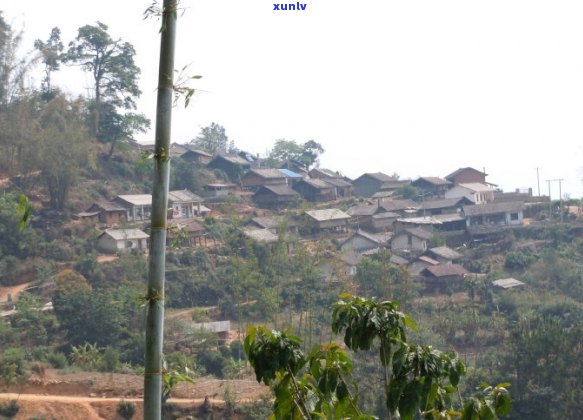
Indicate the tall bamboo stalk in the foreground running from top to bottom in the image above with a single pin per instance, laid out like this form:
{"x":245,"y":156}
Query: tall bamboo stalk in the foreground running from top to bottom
{"x":155,"y":295}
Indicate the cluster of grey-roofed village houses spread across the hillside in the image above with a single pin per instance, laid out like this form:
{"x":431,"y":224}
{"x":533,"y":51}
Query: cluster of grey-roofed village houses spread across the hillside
{"x":361,"y":216}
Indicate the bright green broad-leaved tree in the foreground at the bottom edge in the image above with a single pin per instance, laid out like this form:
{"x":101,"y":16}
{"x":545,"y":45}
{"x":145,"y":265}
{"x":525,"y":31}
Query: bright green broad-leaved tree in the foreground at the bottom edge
{"x":419,"y":381}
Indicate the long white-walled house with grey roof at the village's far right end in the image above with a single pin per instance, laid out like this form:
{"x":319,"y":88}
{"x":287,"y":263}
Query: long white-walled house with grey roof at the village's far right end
{"x":504,"y":213}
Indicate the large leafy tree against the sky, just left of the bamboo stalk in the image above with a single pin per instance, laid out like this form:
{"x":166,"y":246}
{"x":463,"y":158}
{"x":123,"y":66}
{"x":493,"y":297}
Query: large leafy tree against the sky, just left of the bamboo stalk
{"x":115,"y":76}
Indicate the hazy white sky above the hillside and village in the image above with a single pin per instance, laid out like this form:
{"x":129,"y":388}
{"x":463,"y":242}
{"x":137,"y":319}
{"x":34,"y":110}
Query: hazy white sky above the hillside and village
{"x":414,"y":87}
